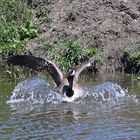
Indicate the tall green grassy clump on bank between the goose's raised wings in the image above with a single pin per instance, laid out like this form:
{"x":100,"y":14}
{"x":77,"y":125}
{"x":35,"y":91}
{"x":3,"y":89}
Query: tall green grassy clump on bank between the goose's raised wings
{"x":66,"y":55}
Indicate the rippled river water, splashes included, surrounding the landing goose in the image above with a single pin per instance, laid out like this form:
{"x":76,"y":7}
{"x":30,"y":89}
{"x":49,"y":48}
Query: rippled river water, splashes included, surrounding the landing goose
{"x":107,"y":112}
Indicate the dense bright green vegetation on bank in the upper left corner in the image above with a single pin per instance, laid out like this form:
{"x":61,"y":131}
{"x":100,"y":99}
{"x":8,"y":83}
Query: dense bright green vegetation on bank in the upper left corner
{"x":16,"y":26}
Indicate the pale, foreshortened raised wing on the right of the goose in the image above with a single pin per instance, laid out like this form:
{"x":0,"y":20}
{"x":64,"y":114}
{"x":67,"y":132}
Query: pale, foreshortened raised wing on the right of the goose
{"x":80,"y":68}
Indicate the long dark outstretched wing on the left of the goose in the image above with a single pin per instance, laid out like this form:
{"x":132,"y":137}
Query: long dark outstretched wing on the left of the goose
{"x":38,"y":64}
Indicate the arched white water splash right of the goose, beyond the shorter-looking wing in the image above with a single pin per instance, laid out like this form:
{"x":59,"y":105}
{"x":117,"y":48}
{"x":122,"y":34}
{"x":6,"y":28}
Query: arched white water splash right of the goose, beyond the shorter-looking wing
{"x":111,"y":93}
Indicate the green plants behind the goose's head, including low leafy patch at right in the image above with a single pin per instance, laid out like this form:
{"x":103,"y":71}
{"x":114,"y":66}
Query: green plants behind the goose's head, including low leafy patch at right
{"x":68,"y":52}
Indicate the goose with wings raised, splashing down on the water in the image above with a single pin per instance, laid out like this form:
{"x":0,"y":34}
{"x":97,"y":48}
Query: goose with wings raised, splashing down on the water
{"x":67,"y":85}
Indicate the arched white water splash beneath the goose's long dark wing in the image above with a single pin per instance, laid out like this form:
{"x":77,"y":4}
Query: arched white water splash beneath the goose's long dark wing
{"x":34,"y":91}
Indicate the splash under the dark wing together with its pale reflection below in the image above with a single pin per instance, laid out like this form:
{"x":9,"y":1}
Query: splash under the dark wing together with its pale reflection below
{"x":31,"y":94}
